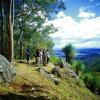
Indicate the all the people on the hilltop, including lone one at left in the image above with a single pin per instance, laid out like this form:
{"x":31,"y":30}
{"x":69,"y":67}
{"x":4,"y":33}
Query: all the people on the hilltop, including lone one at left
{"x":41,"y":56}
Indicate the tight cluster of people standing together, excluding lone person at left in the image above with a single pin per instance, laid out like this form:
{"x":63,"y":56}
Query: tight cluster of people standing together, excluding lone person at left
{"x":42,"y":56}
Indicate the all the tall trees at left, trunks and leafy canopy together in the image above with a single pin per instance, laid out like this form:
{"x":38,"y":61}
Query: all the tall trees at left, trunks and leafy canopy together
{"x":28,"y":27}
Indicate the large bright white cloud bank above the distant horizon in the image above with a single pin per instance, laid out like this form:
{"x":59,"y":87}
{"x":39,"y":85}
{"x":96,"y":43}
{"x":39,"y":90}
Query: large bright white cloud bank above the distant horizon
{"x":71,"y":31}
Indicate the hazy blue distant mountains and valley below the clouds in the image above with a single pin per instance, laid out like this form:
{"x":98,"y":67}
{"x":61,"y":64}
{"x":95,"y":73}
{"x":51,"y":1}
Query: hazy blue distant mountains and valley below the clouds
{"x":90,"y":56}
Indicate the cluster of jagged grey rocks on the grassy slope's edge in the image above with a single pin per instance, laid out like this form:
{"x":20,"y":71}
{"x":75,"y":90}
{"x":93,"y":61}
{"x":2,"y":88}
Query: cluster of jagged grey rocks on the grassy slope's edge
{"x":56,"y":73}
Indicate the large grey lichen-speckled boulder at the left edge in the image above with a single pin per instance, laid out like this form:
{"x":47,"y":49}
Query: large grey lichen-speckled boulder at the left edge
{"x":7,"y":71}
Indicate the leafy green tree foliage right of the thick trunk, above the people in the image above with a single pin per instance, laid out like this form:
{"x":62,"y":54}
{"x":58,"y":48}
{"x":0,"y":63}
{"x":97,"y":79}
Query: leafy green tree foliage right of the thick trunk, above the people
{"x":30,"y":15}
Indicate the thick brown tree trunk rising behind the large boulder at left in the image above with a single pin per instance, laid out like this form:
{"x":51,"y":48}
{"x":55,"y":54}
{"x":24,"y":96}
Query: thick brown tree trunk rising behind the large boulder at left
{"x":9,"y":26}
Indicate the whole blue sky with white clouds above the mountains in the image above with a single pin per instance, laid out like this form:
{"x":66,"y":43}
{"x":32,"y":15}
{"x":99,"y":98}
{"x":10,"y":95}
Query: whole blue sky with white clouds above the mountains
{"x":79,"y":24}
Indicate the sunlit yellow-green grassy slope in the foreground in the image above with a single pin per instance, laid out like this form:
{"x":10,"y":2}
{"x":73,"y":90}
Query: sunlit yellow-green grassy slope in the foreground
{"x":29,"y":84}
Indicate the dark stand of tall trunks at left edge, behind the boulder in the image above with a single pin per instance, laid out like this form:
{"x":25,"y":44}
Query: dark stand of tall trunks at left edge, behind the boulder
{"x":6,"y":27}
